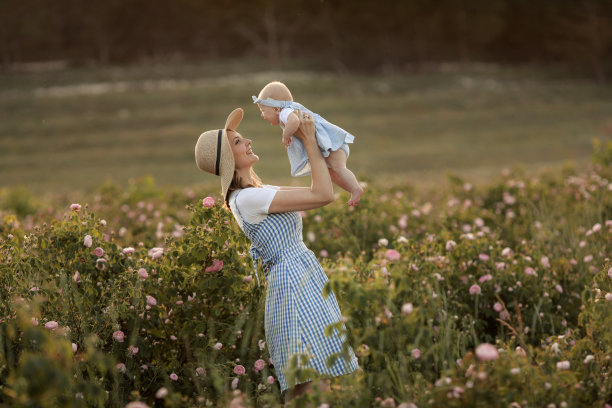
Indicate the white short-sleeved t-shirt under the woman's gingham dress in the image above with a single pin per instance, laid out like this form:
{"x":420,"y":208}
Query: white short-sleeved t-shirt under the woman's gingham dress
{"x":252,"y":204}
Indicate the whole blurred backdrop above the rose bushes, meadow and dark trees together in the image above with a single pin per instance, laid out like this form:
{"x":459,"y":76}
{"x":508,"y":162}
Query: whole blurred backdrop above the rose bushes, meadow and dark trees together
{"x":113,"y":90}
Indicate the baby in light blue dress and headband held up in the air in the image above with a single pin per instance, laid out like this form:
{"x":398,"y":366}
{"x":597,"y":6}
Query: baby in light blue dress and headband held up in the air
{"x":278,"y":108}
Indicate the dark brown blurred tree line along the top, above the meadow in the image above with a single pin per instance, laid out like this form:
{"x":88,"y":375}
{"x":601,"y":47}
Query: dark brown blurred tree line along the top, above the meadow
{"x":346,"y":34}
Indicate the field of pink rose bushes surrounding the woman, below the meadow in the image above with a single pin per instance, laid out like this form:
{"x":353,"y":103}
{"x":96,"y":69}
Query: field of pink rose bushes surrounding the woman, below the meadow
{"x":496,"y":294}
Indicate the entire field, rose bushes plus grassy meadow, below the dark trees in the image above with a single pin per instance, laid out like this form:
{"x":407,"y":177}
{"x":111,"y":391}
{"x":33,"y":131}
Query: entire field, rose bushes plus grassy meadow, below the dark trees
{"x":476,"y":270}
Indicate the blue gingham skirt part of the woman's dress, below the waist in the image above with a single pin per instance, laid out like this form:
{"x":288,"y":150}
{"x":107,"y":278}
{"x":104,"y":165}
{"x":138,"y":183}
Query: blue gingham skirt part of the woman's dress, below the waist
{"x":297,"y":314}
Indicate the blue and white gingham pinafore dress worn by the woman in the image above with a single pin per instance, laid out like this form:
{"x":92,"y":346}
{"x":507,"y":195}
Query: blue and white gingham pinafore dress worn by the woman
{"x":296,"y":313}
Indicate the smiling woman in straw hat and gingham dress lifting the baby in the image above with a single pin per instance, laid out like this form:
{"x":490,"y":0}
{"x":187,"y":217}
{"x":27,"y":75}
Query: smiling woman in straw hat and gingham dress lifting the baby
{"x":296,"y":312}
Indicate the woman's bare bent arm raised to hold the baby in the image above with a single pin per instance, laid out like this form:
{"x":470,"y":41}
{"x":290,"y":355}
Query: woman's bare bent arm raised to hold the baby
{"x":321,"y":191}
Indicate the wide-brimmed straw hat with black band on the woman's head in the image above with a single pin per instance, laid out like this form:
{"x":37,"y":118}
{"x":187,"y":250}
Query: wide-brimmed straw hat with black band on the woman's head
{"x":214,"y":153}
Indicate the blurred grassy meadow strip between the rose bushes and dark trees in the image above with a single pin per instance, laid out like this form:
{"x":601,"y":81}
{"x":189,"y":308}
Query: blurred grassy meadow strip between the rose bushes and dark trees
{"x":72,"y":130}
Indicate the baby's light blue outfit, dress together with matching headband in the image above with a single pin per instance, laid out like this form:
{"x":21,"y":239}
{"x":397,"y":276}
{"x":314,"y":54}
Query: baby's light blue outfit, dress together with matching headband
{"x":329,"y":137}
